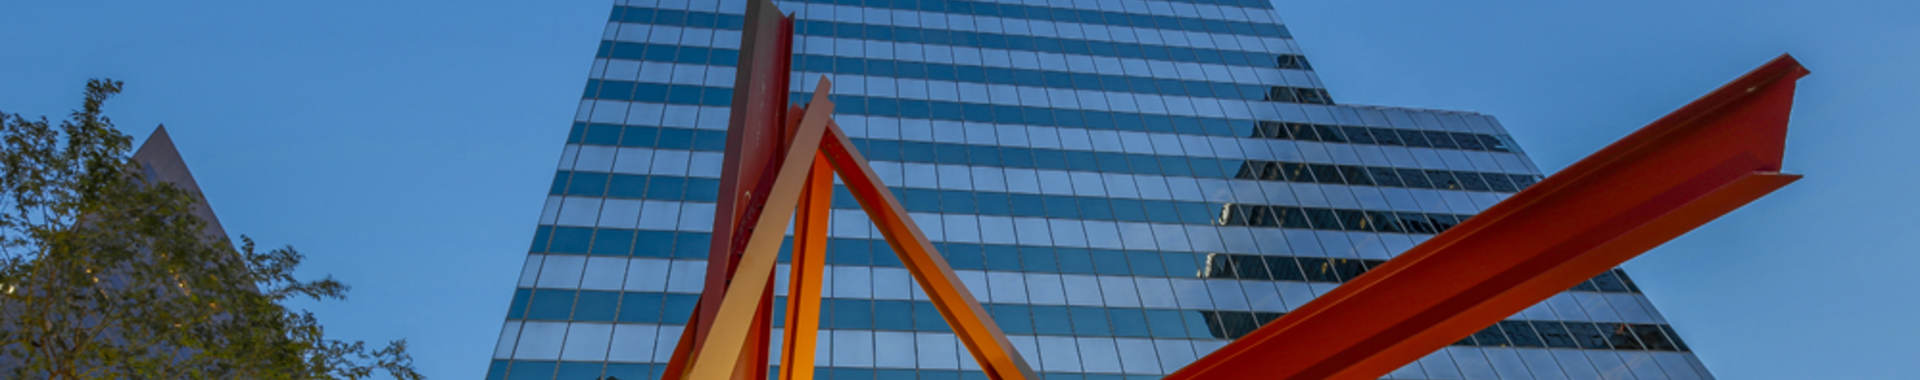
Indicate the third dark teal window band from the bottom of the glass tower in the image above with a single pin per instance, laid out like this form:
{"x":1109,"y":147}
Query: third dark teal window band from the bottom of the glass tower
{"x":859,"y":252}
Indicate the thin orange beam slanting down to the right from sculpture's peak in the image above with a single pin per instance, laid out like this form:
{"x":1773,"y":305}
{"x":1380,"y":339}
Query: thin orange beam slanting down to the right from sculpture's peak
{"x":978,"y":333}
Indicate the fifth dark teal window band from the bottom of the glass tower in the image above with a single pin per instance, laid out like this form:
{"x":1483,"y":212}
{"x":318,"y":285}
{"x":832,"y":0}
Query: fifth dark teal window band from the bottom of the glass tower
{"x":1082,"y":160}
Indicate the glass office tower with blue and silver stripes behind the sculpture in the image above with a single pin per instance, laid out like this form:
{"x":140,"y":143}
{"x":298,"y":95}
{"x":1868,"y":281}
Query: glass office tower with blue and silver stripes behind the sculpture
{"x":1126,"y":185}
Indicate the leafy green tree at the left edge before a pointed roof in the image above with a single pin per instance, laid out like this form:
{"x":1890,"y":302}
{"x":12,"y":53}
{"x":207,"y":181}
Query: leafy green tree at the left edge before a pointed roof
{"x":107,"y":273}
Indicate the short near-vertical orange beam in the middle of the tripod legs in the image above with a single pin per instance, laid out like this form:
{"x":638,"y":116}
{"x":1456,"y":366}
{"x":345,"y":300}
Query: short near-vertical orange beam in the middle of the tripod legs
{"x":805,"y":273}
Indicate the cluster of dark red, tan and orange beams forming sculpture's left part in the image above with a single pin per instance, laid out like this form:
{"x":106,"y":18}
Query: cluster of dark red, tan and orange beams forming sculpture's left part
{"x":780,"y":168}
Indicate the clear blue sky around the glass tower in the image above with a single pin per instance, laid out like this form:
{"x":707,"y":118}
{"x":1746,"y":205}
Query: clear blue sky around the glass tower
{"x":406,"y":147}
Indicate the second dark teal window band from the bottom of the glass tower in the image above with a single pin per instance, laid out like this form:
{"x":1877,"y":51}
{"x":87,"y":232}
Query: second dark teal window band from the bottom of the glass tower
{"x":842,"y":314}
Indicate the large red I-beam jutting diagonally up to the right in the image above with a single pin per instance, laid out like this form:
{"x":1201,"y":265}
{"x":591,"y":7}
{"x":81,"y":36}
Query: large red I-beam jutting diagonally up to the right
{"x":1662,"y":181}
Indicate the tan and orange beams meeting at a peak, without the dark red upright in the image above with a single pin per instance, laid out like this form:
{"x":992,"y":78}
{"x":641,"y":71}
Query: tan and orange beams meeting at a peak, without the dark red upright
{"x":817,"y":147}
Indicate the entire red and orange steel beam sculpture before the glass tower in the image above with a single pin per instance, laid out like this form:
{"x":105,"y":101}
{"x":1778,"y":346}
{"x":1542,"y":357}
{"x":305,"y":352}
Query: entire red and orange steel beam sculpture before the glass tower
{"x":1669,"y":178}
